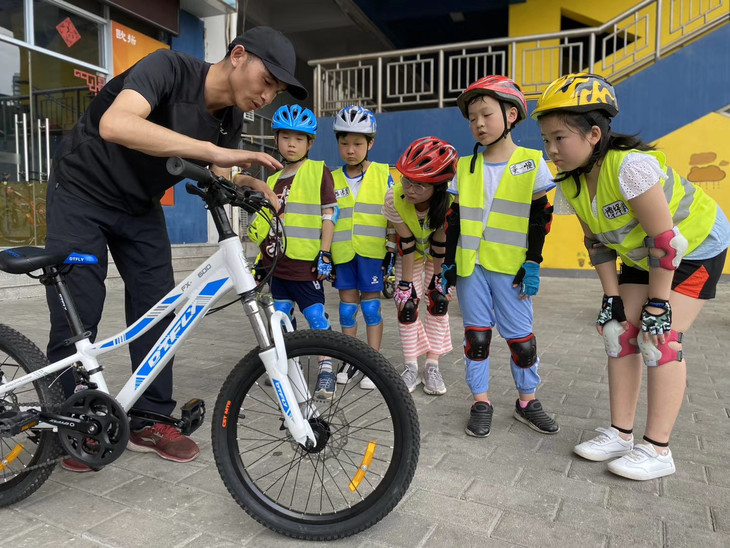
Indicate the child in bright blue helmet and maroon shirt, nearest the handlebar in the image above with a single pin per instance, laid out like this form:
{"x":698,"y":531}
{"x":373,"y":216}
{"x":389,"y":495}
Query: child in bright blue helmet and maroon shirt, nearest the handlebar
{"x":307,"y":204}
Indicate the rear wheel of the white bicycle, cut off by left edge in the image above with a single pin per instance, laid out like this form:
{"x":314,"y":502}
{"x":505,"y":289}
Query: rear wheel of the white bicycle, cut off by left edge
{"x":27,"y":458}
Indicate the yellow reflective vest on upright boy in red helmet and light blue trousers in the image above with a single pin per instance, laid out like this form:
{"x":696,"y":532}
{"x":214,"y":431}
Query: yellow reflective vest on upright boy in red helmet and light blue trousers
{"x":502,"y":243}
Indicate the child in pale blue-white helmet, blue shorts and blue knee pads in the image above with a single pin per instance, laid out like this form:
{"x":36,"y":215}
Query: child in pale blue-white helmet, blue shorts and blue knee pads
{"x":360,"y":248}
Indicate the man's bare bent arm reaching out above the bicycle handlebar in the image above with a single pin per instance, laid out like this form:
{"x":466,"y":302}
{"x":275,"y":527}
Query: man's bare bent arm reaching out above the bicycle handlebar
{"x":125,"y":123}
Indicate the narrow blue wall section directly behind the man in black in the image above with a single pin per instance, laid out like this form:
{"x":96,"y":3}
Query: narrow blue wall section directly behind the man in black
{"x":187,"y":219}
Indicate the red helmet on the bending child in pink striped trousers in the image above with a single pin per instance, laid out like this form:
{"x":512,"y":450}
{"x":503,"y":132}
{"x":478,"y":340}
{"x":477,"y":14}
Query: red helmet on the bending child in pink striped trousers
{"x":428,"y":160}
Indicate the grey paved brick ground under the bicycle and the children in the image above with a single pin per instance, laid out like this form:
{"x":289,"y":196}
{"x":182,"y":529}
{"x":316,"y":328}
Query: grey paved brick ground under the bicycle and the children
{"x":515,"y":488}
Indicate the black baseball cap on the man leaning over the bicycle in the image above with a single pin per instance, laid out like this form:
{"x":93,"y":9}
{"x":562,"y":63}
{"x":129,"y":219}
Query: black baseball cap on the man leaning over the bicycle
{"x":277,"y":54}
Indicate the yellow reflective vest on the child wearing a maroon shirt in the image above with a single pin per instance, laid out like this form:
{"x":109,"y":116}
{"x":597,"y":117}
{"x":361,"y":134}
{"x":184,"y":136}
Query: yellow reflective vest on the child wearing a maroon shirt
{"x":302,"y":216}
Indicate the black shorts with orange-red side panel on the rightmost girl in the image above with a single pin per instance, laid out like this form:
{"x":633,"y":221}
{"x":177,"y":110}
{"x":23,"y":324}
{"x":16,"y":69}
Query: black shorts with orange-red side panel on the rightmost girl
{"x":696,"y":279}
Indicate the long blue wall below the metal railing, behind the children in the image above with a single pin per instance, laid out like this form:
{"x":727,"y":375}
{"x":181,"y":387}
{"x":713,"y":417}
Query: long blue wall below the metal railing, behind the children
{"x":658,"y":100}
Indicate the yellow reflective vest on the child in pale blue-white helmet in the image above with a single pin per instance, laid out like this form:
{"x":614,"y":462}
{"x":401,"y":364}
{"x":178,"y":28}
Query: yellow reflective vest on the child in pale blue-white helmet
{"x":360,"y":224}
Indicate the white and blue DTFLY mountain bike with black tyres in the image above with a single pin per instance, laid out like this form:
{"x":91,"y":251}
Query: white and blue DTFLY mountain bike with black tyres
{"x":302,"y":467}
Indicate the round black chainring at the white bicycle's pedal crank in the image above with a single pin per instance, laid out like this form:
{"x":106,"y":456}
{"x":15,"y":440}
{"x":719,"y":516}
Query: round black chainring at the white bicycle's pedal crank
{"x":108,"y":438}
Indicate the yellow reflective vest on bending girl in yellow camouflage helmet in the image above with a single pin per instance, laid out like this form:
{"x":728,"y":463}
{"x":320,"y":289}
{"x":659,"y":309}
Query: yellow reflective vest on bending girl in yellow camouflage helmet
{"x":617,"y":227}
